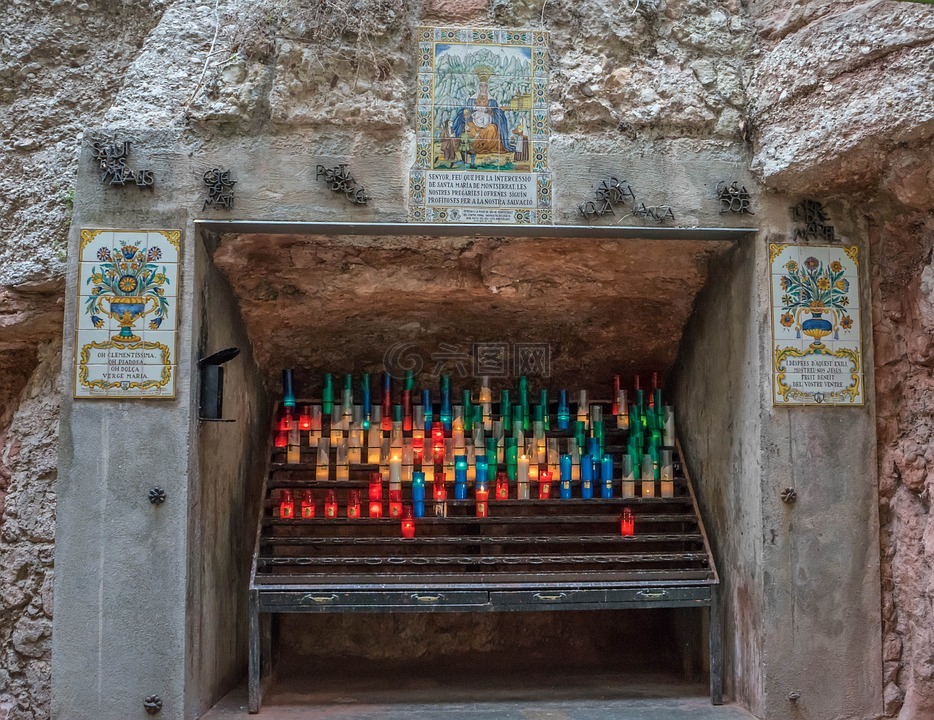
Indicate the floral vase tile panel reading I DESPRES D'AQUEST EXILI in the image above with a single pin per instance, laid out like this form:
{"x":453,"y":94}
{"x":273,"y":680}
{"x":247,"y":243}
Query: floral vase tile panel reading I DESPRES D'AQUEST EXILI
{"x":816,"y":325}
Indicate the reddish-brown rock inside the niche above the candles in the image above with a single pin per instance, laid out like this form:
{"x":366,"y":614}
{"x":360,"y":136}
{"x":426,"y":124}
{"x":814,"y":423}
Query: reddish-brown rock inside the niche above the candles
{"x":430,"y":301}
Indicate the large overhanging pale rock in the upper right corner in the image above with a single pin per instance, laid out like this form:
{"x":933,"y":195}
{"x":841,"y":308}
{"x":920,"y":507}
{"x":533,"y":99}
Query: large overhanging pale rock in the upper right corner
{"x":840,"y":86}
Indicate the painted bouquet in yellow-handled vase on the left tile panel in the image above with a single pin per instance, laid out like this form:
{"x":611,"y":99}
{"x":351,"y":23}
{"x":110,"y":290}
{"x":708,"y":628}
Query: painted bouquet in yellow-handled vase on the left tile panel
{"x":128,"y":280}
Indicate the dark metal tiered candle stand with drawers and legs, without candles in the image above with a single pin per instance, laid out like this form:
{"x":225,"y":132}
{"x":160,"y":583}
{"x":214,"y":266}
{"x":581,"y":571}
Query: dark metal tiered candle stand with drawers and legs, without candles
{"x":548,"y":554}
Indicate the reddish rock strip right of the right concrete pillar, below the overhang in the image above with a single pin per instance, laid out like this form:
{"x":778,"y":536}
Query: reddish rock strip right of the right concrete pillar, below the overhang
{"x":903,"y":322}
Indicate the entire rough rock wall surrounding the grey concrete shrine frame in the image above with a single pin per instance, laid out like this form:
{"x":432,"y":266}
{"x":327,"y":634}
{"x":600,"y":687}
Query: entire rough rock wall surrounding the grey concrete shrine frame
{"x":839,"y":102}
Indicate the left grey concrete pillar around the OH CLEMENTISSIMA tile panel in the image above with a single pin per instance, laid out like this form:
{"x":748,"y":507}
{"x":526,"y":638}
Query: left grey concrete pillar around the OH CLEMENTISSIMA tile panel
{"x":120,"y":600}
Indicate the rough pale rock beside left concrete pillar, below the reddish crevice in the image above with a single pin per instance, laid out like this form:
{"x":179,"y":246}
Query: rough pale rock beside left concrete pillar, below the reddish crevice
{"x":28,"y":457}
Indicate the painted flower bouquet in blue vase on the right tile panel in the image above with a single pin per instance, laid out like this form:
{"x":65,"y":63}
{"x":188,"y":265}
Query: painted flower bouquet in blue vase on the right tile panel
{"x":815,"y":290}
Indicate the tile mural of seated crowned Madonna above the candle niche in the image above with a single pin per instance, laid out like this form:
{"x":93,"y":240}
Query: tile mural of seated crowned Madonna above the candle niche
{"x":482,"y":127}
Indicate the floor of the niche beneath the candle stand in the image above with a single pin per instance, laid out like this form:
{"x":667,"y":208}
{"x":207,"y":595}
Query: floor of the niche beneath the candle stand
{"x":357,"y":693}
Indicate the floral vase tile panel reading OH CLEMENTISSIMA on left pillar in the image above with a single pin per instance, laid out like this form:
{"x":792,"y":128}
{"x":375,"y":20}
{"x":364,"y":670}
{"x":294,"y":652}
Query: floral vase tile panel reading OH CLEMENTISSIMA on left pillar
{"x":127,"y":313}
